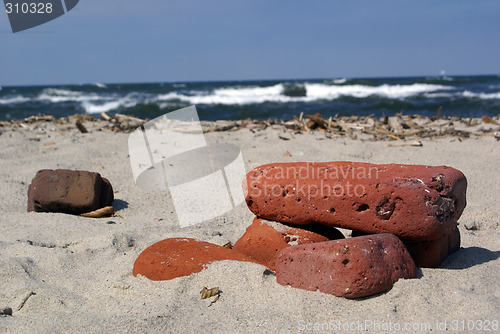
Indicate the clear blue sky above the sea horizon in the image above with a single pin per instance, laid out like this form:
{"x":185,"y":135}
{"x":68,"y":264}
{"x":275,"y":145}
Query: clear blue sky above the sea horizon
{"x":115,"y":41}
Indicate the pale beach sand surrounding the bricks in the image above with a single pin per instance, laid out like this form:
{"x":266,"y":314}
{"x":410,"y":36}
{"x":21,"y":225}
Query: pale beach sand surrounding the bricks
{"x":64,"y":273}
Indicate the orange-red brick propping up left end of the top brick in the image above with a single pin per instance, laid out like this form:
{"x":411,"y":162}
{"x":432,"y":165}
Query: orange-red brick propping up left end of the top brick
{"x":263,"y":240}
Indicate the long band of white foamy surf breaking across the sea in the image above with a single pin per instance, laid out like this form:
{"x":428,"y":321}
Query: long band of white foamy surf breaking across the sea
{"x":105,"y":100}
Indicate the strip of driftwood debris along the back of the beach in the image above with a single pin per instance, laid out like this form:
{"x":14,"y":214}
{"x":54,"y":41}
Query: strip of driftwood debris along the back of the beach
{"x":398,"y":127}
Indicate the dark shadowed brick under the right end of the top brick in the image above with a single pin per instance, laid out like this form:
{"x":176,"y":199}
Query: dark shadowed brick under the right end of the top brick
{"x":431,"y":253}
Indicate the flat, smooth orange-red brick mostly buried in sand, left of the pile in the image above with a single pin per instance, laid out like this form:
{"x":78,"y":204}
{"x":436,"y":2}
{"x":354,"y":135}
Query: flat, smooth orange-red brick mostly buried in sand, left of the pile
{"x":177,"y":257}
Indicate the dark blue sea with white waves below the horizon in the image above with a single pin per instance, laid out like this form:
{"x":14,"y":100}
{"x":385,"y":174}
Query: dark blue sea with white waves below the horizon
{"x":463,"y":96}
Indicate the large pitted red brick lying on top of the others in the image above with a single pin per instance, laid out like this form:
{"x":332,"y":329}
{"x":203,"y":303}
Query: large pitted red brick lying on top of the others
{"x":411,"y":201}
